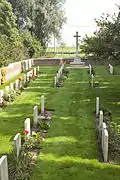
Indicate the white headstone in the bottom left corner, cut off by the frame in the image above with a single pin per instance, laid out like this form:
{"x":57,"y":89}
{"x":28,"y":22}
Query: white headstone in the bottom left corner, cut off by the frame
{"x":3,"y":168}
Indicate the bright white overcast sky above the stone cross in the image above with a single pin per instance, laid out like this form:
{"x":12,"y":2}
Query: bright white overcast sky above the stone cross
{"x":80,"y":16}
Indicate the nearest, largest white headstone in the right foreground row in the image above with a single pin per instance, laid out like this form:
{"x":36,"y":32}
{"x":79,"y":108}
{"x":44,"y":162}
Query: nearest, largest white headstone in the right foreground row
{"x":105,"y":145}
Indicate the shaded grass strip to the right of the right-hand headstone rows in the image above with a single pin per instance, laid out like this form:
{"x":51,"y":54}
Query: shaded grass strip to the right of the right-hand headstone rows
{"x":109,"y":91}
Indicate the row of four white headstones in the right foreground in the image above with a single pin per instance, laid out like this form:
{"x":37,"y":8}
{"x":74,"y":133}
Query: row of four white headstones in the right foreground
{"x":102,"y":131}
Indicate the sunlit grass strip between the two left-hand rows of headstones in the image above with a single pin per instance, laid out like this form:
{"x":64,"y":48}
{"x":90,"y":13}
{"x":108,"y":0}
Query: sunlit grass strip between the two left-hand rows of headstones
{"x":13,"y":117}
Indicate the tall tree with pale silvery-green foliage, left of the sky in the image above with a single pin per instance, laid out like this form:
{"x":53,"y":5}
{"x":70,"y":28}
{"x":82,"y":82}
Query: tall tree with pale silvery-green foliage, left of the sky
{"x":42,"y":17}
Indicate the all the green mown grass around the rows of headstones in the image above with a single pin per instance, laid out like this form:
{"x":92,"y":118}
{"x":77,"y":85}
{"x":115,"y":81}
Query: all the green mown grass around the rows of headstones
{"x":70,"y":150}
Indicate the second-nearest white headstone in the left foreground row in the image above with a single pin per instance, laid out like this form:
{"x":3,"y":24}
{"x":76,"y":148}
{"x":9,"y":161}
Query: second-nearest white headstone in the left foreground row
{"x":17,"y":144}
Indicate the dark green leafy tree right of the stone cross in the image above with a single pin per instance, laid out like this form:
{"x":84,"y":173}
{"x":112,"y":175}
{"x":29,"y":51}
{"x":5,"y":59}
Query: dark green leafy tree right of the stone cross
{"x":104,"y":44}
